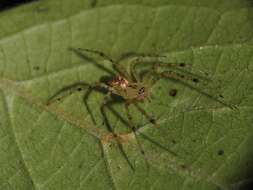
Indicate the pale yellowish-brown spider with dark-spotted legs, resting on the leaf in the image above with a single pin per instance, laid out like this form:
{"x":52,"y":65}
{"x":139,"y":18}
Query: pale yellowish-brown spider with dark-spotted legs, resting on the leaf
{"x":133,"y":86}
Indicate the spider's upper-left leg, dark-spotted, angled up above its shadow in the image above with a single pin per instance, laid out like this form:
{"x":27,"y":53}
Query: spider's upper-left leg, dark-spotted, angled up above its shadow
{"x":121,"y":70}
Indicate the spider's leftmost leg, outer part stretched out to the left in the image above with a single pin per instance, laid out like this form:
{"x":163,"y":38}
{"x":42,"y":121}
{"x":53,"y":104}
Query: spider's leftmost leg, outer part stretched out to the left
{"x":66,"y":91}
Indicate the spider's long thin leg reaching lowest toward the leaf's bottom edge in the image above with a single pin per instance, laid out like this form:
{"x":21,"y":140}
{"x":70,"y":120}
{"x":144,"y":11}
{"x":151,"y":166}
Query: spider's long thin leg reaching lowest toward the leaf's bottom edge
{"x":110,"y":129}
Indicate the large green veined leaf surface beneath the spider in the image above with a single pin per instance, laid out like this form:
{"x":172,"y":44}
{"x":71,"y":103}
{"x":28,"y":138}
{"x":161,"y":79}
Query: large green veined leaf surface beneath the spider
{"x":58,"y":146}
